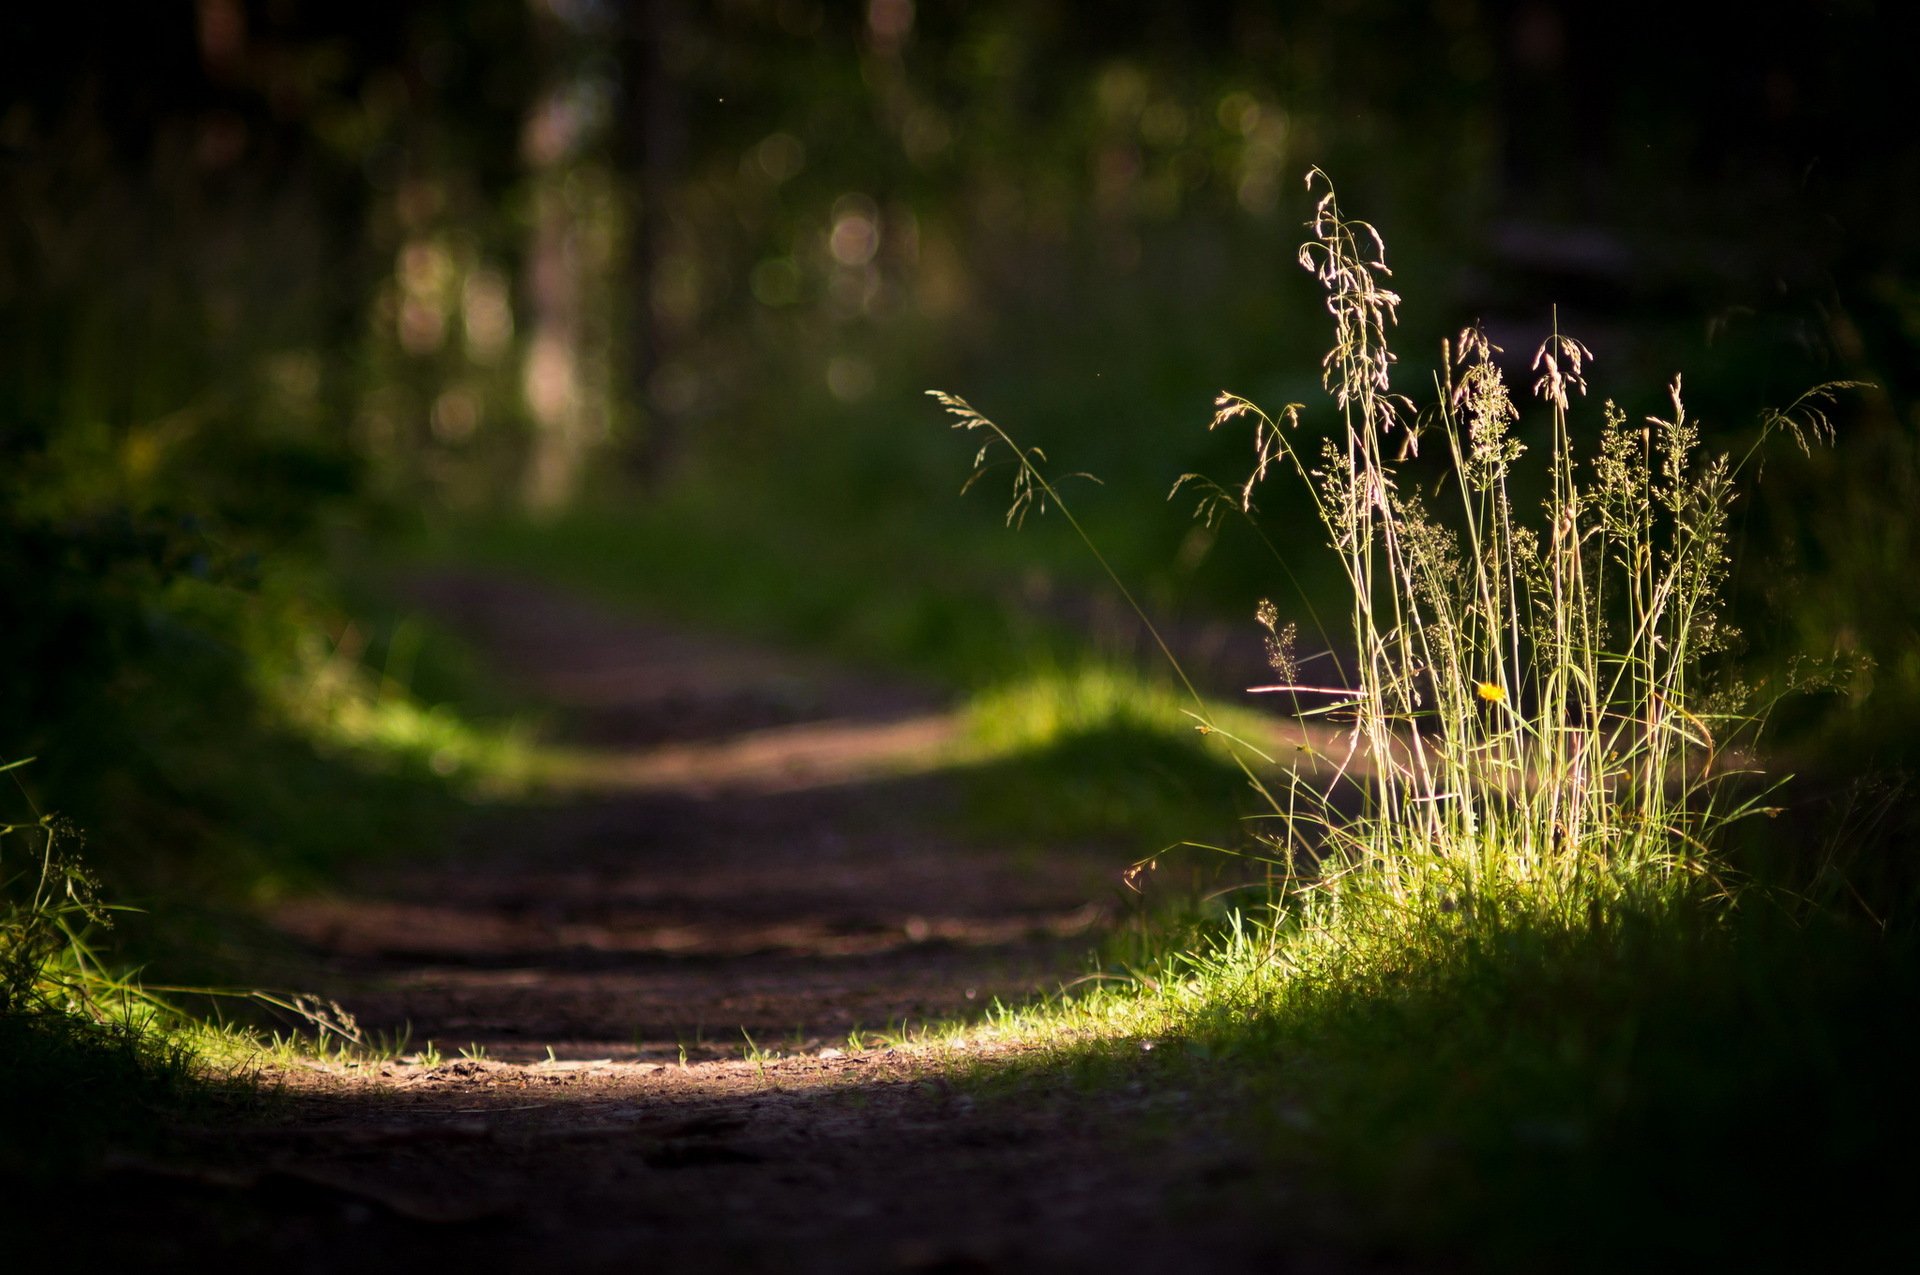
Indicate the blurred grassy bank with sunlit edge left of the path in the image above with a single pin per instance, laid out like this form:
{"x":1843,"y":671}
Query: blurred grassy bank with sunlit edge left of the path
{"x":256,"y":740}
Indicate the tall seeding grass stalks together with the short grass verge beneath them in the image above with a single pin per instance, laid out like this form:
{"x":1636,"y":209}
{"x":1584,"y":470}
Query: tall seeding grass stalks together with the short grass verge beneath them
{"x":1514,"y":998}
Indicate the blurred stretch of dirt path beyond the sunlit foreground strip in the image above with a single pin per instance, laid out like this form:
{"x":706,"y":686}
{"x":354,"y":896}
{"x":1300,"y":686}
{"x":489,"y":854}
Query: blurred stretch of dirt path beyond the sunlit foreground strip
{"x":754,"y":846}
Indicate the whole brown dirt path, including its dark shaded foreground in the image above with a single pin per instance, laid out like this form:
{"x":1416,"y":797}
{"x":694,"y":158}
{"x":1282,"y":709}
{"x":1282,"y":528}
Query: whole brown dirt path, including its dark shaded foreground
{"x":765,"y":850}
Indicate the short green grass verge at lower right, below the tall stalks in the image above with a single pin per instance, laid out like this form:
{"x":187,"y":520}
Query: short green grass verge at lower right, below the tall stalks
{"x":1704,"y":1086}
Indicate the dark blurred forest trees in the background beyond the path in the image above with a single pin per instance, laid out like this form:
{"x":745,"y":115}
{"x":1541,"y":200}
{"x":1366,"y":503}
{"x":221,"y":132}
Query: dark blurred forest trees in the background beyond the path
{"x":471,"y":243}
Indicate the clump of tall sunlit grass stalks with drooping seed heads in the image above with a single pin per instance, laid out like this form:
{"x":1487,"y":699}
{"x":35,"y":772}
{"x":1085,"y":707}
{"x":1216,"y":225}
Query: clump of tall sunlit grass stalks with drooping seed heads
{"x":1531,"y":727}
